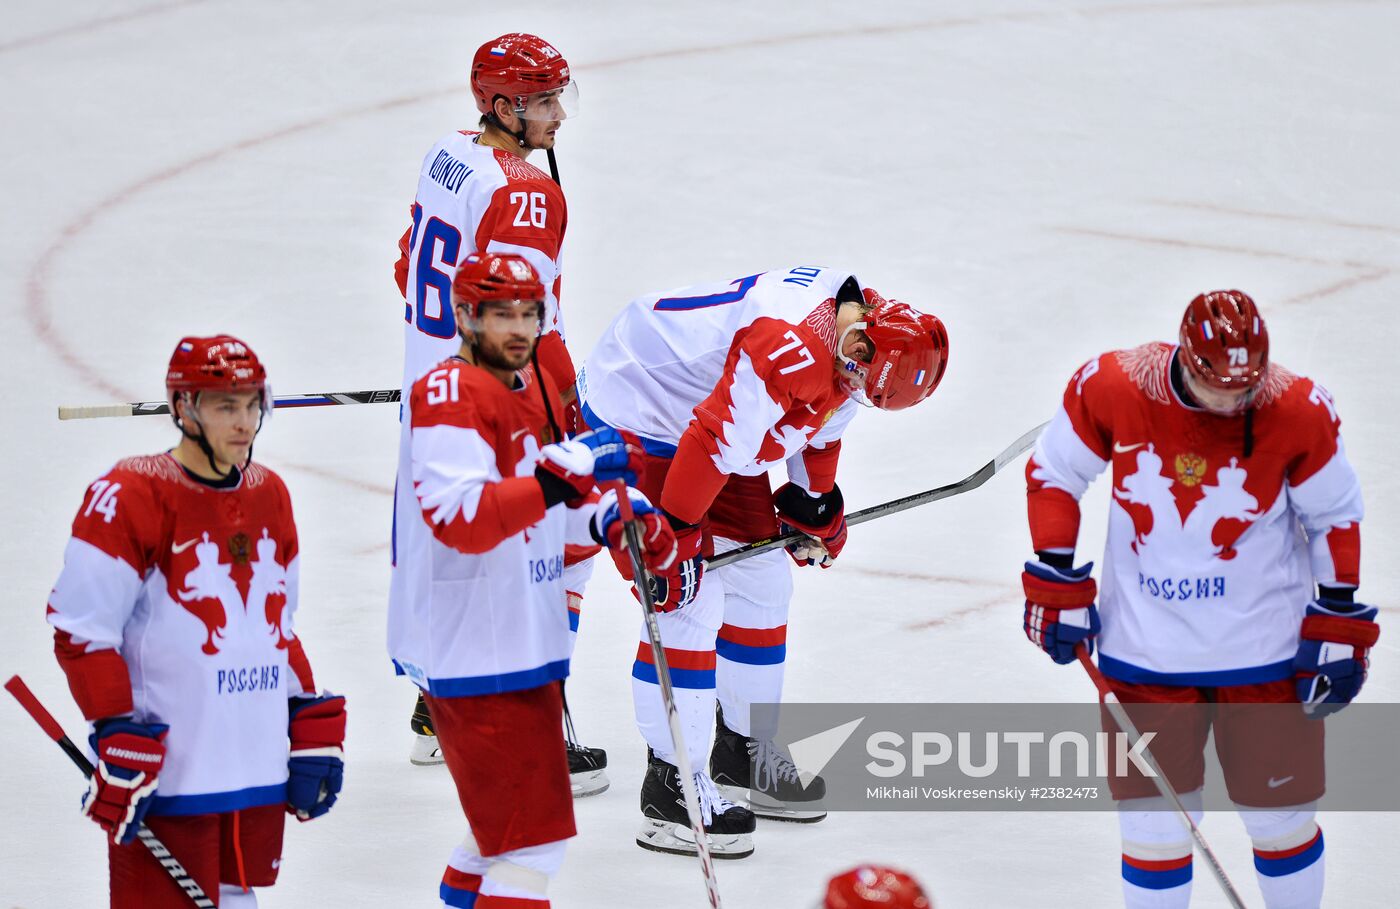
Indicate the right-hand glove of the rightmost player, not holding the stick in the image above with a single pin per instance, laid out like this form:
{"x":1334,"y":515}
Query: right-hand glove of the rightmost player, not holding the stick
{"x":1333,"y":656}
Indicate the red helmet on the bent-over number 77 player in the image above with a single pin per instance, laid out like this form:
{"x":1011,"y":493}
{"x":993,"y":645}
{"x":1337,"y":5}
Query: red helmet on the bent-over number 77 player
{"x":911,"y":354}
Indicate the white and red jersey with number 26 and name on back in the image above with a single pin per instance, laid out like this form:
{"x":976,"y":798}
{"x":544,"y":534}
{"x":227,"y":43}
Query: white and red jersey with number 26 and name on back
{"x":475,"y":198}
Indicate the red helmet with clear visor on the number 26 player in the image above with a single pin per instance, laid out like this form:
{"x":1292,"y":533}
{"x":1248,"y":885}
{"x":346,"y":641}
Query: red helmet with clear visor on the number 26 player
{"x":530,"y":74}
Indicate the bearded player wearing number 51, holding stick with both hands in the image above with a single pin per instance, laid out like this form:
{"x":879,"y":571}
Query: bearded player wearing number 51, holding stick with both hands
{"x":485,"y":631}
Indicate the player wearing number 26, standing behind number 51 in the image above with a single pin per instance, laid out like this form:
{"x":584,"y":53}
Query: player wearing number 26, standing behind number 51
{"x":479,"y":194}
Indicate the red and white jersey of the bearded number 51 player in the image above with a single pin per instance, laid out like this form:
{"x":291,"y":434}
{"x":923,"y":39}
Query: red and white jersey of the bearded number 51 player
{"x":477,"y":603}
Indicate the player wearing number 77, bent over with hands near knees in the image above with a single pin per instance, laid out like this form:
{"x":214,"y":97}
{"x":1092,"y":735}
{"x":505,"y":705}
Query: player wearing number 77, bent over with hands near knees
{"x":722,"y":383}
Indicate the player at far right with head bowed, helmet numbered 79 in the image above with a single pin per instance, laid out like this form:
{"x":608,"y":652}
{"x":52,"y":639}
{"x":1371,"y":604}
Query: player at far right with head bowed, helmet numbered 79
{"x":1233,"y":498}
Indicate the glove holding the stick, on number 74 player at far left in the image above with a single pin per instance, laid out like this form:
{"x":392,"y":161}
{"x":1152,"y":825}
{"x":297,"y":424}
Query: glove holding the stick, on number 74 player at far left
{"x":129,"y":760}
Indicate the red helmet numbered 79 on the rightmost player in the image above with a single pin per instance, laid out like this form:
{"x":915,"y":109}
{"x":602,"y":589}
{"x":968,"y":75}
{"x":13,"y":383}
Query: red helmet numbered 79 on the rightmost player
{"x":1224,"y":341}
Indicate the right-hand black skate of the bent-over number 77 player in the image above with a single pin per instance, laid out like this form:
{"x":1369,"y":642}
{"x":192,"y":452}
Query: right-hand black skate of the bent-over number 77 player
{"x":758,"y":774}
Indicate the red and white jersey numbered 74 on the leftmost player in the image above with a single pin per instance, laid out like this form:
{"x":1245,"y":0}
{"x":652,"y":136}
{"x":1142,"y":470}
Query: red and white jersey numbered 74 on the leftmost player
{"x":176,"y":604}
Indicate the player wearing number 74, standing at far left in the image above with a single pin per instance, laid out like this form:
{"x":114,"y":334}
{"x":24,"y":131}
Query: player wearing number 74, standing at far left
{"x":174,"y":624}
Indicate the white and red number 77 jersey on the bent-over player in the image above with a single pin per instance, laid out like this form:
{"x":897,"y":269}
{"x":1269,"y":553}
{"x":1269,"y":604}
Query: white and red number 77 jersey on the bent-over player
{"x":736,"y":377}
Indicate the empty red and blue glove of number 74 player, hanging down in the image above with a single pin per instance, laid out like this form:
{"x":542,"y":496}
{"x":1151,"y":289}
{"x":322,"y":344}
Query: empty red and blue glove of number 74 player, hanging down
{"x":317,"y":728}
